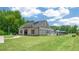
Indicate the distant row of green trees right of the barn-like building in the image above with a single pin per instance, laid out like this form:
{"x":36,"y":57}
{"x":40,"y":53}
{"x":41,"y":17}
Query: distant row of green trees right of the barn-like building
{"x":67,"y":28}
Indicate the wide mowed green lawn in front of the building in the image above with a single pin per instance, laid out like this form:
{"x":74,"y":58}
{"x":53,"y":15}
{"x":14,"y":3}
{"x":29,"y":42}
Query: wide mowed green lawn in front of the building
{"x":41,"y":43}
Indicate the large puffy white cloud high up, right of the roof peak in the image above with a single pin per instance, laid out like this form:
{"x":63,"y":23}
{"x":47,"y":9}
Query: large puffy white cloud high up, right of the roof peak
{"x":61,"y":12}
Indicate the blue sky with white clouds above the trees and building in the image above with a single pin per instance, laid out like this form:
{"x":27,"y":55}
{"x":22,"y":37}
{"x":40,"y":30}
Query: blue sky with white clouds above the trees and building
{"x":54,"y":15}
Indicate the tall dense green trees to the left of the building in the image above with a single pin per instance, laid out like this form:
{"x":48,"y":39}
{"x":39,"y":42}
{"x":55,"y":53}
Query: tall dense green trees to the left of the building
{"x":10,"y":21}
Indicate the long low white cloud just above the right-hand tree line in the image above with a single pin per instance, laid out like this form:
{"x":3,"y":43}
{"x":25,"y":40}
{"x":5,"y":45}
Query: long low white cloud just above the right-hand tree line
{"x":69,"y":21}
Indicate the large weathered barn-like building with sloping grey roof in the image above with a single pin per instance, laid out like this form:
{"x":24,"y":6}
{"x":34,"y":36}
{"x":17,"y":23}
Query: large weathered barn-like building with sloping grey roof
{"x":36,"y":28}
